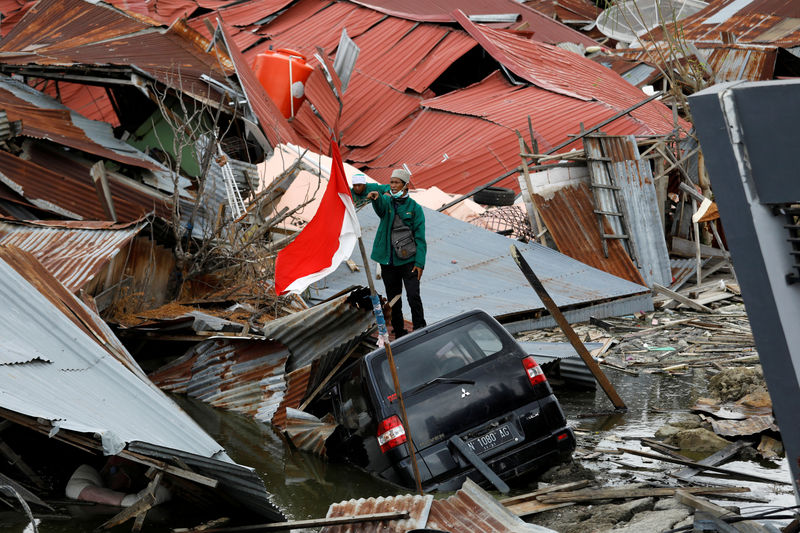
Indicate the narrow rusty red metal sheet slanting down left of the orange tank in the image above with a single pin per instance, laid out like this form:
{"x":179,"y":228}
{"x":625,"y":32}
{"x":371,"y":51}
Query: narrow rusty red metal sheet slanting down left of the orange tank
{"x":272,"y":123}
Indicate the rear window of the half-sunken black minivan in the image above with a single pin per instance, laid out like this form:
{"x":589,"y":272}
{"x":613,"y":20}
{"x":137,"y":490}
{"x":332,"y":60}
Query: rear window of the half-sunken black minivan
{"x":441,"y":354}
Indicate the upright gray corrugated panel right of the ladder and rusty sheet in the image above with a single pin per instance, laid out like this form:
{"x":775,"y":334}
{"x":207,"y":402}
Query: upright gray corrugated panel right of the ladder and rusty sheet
{"x":635,"y":180}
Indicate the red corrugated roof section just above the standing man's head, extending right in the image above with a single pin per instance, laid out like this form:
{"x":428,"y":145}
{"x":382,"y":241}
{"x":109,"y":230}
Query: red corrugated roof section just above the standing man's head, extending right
{"x":474,"y":140}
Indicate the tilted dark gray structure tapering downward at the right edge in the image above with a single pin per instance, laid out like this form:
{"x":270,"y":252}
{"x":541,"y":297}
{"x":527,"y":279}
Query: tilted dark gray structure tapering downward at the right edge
{"x":750,"y":135}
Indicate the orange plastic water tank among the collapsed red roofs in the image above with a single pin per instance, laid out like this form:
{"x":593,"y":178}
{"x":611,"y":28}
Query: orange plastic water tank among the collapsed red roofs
{"x":283,"y":74}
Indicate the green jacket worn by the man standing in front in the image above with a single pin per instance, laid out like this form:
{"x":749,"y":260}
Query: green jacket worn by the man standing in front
{"x":410,"y":213}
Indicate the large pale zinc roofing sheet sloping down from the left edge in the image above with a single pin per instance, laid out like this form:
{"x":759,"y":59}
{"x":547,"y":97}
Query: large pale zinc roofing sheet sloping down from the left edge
{"x":79,"y":375}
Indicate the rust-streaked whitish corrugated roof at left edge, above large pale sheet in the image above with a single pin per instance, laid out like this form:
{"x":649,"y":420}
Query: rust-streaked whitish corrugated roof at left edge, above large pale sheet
{"x":73,"y":255}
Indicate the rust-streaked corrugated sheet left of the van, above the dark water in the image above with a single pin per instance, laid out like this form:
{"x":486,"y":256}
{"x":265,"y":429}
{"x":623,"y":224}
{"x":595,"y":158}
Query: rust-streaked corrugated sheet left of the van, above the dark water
{"x":242,"y":375}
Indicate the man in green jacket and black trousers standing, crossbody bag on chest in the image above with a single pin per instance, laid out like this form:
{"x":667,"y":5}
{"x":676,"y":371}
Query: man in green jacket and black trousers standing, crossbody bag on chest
{"x":403,"y":266}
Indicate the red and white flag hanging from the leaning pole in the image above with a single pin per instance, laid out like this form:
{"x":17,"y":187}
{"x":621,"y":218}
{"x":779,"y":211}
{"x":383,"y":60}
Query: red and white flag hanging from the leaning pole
{"x":326,"y":241}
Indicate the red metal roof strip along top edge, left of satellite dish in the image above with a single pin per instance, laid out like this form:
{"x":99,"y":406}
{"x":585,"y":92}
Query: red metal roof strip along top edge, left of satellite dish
{"x":544,"y":28}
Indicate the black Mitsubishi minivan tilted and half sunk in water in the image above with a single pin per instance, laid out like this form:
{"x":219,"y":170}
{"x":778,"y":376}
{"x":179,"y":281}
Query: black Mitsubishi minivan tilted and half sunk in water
{"x":463,"y":378}
